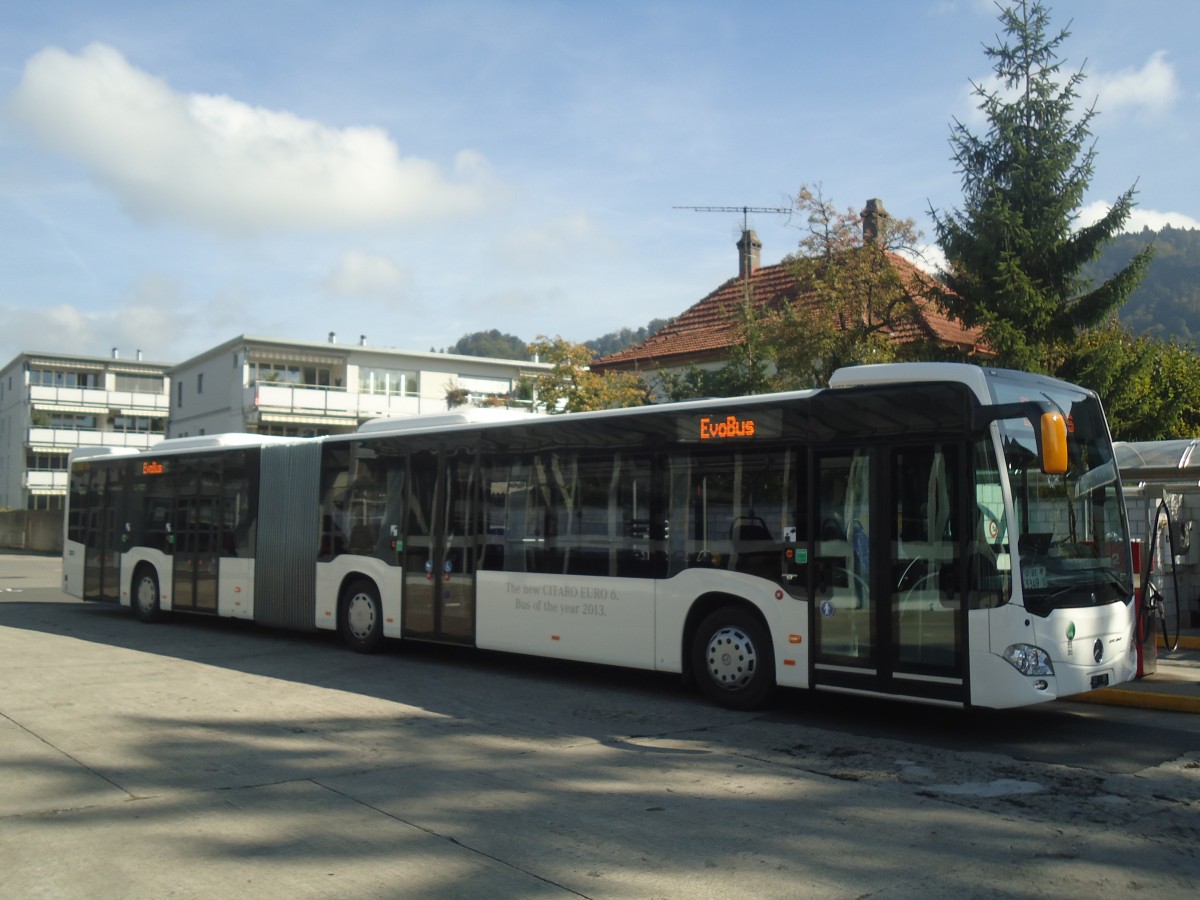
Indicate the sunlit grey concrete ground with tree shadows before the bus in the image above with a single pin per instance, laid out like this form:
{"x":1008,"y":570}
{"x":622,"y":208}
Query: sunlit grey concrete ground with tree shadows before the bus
{"x":213,"y":759}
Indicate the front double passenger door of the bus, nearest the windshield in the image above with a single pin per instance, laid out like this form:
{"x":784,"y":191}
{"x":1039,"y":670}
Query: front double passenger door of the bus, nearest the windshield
{"x":887,"y":611}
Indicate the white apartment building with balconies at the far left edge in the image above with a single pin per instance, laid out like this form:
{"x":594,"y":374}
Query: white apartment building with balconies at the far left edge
{"x":53,"y":403}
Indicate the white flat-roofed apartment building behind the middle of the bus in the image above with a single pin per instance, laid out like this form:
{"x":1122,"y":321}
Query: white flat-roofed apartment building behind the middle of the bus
{"x":298,"y":388}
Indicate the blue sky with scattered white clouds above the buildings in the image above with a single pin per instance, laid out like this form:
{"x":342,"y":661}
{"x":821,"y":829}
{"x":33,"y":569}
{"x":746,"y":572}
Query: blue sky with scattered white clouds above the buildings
{"x":173,"y":175}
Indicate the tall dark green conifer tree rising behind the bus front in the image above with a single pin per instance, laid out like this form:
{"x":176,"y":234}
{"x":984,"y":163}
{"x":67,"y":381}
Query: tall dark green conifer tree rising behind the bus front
{"x":1015,"y":259}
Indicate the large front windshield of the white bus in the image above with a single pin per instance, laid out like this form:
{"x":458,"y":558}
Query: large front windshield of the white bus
{"x":1072,"y":531}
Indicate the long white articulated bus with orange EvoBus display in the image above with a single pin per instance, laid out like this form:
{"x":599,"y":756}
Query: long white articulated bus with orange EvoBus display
{"x":935,"y":532}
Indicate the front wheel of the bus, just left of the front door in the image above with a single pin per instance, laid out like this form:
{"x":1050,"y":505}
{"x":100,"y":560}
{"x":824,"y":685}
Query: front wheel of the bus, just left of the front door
{"x":733,"y":659}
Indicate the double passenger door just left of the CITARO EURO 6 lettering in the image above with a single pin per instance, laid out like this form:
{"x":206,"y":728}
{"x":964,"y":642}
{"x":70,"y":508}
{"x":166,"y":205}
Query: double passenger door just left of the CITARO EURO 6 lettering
{"x":442,"y":547}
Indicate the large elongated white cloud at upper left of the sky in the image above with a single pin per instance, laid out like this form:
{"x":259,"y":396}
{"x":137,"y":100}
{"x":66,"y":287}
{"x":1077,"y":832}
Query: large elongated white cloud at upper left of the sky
{"x":217,"y":163}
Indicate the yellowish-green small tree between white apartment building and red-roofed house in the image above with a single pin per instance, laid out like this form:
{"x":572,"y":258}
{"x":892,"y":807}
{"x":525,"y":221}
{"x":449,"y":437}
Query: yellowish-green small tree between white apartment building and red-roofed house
{"x":572,"y":387}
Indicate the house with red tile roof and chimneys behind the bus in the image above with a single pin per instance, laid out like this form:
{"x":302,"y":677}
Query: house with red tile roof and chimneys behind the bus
{"x":705,"y":334}
